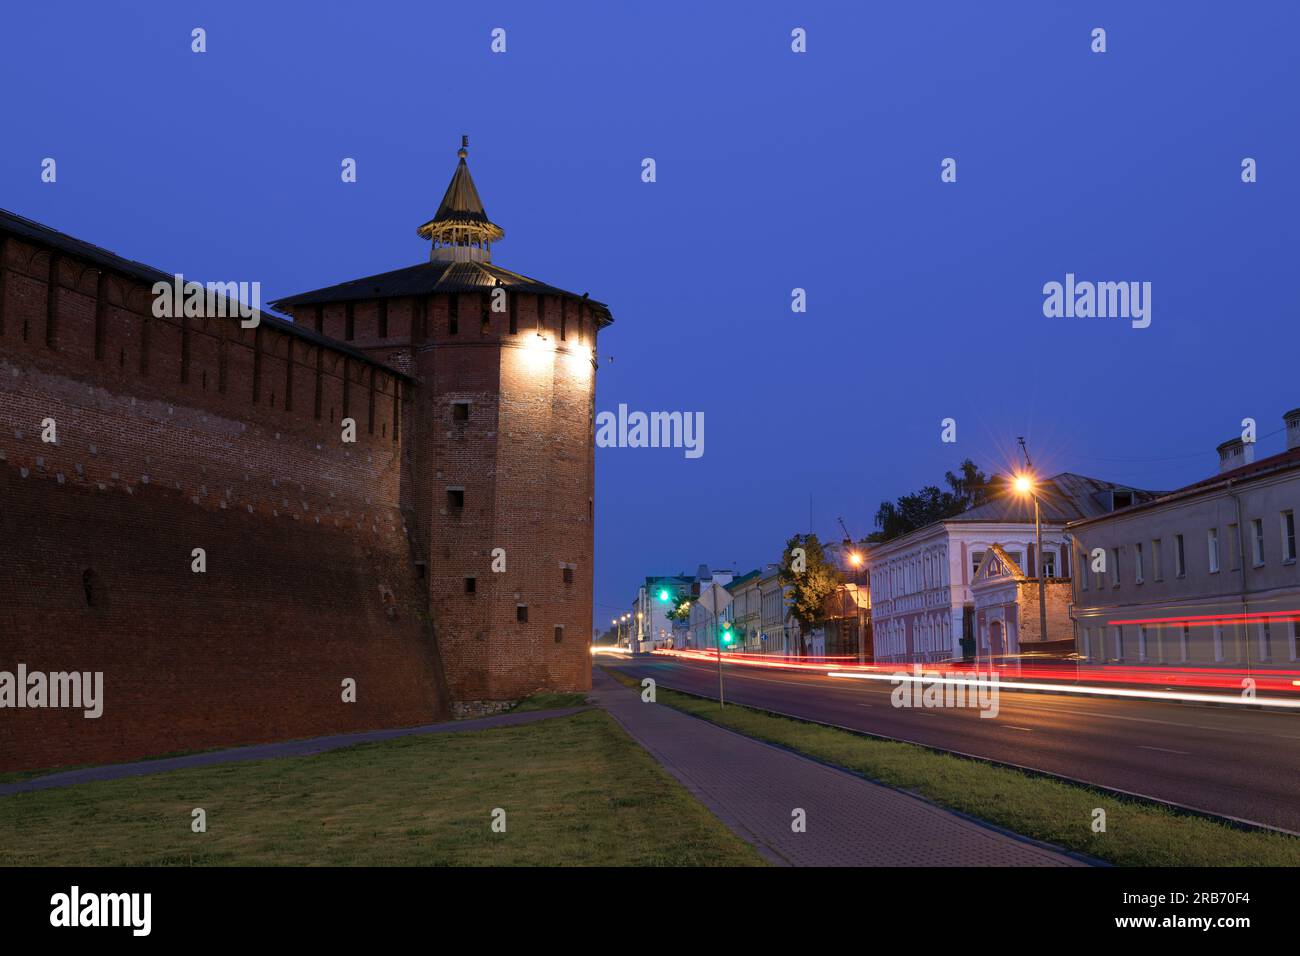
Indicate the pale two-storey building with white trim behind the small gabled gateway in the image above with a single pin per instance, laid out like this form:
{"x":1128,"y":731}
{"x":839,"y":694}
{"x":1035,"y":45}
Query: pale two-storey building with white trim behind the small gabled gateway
{"x":922,"y":604}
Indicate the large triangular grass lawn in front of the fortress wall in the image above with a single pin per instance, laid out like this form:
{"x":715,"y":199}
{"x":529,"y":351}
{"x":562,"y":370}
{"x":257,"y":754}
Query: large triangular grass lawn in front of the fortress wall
{"x":577,"y":791}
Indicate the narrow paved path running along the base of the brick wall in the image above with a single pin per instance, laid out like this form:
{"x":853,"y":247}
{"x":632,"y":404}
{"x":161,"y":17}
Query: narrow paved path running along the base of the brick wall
{"x":288,"y":749}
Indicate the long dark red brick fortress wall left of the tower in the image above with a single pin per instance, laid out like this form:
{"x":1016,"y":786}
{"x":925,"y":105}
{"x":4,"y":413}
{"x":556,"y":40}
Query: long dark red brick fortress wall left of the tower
{"x":183,"y":434}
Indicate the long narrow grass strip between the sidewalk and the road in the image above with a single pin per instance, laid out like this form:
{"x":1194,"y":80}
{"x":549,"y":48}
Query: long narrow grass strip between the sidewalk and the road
{"x":1061,"y":814}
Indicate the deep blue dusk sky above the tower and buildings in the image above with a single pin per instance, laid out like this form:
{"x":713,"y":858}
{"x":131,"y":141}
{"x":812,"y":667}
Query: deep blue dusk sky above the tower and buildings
{"x":775,"y":171}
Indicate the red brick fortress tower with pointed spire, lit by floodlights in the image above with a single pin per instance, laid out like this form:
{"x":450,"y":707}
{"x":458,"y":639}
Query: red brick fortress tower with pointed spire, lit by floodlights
{"x":499,"y":453}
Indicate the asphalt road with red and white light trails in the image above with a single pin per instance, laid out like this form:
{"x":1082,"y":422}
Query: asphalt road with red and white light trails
{"x":1236,"y":763}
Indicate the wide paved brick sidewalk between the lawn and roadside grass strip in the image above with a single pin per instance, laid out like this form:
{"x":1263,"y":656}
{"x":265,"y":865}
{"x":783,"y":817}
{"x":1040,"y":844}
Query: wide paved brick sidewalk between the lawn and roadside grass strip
{"x":753,"y":788}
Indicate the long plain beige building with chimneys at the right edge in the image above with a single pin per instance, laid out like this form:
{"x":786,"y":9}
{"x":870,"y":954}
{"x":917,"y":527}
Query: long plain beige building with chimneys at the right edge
{"x":1204,"y":576}
